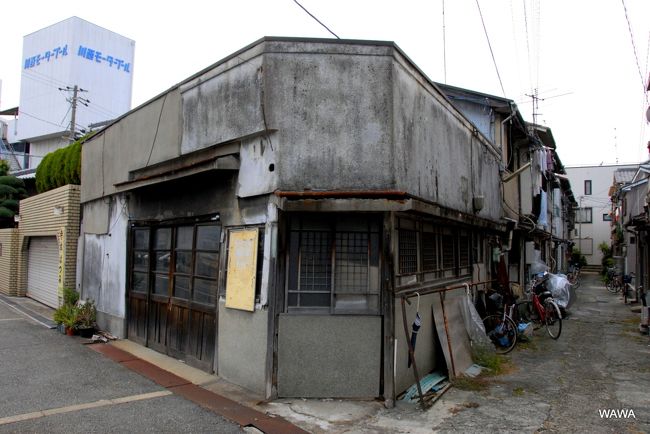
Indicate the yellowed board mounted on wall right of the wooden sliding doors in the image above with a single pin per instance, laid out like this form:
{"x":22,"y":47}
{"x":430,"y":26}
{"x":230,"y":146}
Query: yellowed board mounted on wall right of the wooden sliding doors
{"x":242,"y":267}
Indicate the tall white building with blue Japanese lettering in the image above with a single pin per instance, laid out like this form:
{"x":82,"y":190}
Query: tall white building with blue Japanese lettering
{"x":70,"y":68}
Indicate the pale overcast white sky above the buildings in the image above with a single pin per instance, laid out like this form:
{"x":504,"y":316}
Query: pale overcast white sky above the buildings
{"x":577,"y":53}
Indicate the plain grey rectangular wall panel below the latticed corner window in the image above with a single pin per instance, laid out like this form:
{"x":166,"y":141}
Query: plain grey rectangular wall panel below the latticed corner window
{"x":324,"y":356}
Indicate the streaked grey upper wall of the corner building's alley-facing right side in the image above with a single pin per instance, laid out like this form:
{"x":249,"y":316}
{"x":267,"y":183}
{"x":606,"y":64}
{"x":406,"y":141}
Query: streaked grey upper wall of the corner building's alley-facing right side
{"x":442,"y":159}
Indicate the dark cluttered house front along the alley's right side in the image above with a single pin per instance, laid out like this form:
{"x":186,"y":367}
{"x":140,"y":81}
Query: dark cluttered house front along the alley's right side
{"x":630,"y":228}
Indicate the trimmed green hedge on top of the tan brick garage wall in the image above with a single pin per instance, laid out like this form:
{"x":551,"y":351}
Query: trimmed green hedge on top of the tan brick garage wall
{"x":60,"y":168}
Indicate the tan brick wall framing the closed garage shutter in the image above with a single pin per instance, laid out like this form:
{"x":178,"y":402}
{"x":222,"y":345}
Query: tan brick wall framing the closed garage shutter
{"x":37,"y":218}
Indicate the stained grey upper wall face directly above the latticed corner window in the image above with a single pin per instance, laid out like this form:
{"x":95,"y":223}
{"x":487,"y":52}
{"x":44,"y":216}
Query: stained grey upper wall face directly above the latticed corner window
{"x":331,"y":104}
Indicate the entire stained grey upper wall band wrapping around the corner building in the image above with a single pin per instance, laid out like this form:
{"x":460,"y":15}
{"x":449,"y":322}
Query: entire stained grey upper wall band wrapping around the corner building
{"x":362,"y":111}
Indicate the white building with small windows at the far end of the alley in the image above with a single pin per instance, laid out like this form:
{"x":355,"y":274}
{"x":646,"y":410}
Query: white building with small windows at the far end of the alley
{"x":591,"y":186}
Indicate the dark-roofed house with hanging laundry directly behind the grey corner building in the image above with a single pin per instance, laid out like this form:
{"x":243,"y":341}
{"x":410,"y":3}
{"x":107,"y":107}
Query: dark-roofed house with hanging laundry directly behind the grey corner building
{"x":538,"y":233}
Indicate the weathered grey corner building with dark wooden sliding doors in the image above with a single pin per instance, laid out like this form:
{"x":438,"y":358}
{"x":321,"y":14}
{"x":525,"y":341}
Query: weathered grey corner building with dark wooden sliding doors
{"x":263,"y":218}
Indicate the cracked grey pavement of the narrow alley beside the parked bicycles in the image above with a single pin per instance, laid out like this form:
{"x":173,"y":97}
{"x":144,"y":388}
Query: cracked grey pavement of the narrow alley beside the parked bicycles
{"x":599,"y":363}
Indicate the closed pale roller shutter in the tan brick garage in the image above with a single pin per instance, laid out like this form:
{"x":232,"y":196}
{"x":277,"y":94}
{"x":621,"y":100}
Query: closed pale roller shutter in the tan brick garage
{"x":42,"y":270}
